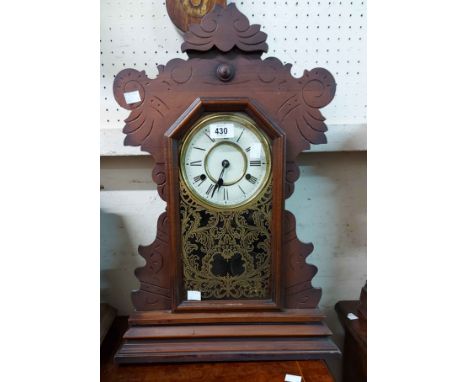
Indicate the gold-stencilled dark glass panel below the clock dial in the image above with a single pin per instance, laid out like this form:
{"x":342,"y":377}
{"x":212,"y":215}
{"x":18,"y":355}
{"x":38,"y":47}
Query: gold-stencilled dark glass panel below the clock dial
{"x":226,"y":255}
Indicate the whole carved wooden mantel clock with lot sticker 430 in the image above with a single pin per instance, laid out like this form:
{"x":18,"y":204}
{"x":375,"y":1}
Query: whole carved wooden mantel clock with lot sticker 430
{"x":226,"y":277}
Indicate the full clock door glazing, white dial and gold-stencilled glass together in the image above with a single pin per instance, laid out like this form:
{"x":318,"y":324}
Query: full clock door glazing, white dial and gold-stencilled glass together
{"x":225,"y":209}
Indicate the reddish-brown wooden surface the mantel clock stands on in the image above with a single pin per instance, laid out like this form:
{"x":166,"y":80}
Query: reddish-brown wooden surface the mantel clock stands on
{"x":270,"y":371}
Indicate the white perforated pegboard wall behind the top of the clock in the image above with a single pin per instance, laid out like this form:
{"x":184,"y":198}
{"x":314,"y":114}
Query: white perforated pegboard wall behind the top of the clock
{"x":307,"y":34}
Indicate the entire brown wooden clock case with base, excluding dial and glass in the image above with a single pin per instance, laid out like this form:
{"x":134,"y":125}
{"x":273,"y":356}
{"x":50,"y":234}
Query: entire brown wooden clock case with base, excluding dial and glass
{"x":225,"y":73}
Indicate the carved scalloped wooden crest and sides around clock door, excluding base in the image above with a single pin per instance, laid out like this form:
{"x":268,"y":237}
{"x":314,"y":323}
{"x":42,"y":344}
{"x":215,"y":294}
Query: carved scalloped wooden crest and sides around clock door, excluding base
{"x":224,"y":53}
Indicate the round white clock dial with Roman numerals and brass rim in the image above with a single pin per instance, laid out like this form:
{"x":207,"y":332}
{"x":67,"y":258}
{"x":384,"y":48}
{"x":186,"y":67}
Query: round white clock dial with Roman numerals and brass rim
{"x":225,"y":160}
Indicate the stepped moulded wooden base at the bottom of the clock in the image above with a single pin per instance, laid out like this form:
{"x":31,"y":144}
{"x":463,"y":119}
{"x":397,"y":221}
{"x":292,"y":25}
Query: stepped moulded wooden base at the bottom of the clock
{"x":193,"y":337}
